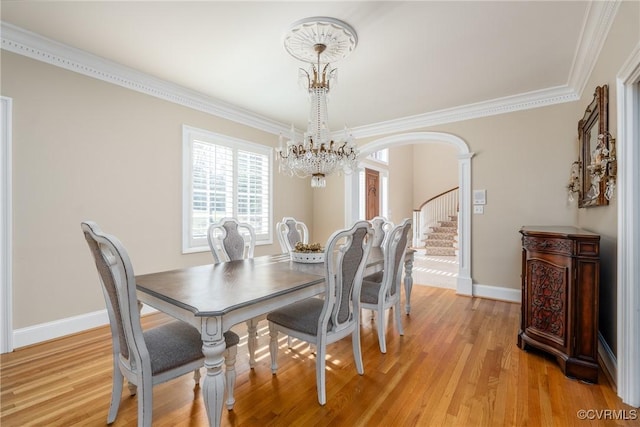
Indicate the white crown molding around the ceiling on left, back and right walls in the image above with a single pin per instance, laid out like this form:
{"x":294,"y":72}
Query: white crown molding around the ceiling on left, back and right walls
{"x":598,"y":20}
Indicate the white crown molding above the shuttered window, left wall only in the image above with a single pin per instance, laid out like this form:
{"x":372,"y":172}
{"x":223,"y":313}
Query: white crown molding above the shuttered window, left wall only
{"x":35,"y":46}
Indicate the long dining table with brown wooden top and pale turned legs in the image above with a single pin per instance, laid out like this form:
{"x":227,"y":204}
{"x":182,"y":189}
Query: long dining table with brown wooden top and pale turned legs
{"x":215,"y":297}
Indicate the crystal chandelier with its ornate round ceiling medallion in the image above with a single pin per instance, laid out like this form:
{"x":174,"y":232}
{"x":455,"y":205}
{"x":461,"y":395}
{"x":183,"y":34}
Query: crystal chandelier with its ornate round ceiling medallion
{"x":318,"y":41}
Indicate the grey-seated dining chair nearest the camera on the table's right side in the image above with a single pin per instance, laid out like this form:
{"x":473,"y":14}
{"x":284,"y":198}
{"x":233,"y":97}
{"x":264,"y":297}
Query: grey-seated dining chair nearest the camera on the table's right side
{"x":322,"y":321}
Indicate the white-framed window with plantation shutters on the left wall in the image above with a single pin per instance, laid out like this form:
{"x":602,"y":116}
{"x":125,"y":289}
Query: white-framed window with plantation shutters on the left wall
{"x":224,"y":176}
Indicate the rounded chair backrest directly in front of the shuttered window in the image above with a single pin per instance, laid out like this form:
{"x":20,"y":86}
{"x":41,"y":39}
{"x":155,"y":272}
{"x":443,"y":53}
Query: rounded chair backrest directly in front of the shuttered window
{"x":231,"y":240}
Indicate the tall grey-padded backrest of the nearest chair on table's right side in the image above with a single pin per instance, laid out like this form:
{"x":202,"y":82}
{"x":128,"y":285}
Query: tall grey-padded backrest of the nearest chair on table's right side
{"x":346,"y":256}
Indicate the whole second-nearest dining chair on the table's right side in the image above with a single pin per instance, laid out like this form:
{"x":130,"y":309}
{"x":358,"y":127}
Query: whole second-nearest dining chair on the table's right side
{"x":385,"y":293}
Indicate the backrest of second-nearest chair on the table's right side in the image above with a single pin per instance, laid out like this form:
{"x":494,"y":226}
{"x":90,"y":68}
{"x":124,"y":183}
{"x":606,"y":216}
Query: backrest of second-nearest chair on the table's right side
{"x":395,"y":248}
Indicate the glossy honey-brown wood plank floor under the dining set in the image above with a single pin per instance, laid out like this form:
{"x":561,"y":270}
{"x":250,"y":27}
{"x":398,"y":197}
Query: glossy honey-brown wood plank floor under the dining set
{"x":457,"y":365}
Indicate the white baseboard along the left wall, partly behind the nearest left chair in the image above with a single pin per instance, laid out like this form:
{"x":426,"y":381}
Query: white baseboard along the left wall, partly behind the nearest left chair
{"x":59,"y":328}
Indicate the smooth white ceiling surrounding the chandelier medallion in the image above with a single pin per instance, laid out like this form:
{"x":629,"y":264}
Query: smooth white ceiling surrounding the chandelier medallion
{"x":413,"y":57}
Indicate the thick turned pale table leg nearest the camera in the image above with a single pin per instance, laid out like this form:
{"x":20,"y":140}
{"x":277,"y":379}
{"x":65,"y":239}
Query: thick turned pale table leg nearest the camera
{"x":213,"y":387}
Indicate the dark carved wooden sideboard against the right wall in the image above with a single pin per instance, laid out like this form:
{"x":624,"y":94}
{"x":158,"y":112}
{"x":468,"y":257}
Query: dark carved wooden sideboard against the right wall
{"x":560,"y":280}
